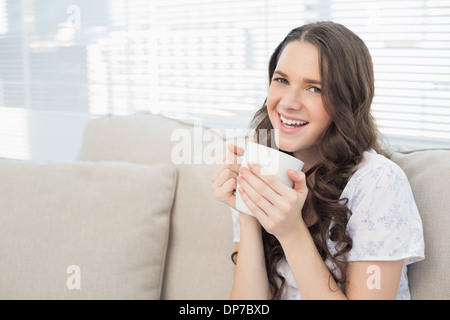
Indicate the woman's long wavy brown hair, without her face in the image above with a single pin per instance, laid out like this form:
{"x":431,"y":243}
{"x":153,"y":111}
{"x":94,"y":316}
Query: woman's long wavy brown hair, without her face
{"x":347,"y":91}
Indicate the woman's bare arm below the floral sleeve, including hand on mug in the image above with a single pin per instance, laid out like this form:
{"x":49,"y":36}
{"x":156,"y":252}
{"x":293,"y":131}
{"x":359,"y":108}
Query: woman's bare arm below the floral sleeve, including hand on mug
{"x":286,"y":223}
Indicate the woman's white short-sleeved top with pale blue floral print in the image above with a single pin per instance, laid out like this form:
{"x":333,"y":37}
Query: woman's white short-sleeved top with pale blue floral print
{"x":385,"y":223}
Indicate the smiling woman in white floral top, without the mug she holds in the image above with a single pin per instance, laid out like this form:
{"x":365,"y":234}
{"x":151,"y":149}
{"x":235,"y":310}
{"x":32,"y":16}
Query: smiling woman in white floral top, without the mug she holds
{"x":349,"y":227}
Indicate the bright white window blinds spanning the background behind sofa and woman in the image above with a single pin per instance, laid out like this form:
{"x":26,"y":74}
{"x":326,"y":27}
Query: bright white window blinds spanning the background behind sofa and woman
{"x":207,"y":59}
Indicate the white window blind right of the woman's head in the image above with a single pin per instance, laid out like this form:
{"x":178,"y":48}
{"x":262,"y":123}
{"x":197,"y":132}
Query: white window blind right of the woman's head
{"x":410,"y":46}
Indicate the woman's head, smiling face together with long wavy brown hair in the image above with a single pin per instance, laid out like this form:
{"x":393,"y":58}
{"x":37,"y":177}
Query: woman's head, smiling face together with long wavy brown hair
{"x":340,"y":126}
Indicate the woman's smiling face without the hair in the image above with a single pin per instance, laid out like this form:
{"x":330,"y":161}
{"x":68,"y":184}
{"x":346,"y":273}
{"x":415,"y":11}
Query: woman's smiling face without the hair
{"x":294,"y":102}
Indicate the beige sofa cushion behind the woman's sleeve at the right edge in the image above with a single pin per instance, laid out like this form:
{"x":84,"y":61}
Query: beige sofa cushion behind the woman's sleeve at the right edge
{"x":428,"y":172}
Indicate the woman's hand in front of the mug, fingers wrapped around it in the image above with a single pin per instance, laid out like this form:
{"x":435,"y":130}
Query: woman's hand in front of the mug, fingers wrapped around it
{"x":277,"y":206}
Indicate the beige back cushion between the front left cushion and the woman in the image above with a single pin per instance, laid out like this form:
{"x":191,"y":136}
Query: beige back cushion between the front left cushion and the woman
{"x":198,"y":262}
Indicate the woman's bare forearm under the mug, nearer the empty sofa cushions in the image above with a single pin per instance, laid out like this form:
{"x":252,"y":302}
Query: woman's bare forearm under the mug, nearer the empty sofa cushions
{"x":250,"y":275}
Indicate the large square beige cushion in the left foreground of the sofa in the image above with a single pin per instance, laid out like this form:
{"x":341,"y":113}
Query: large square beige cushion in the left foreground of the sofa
{"x":83,"y":230}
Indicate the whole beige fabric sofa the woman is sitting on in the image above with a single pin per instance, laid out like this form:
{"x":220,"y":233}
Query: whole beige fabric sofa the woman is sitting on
{"x":134,"y":217}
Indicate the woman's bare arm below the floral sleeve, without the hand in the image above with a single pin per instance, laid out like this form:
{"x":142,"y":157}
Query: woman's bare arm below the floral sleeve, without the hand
{"x":366,"y":279}
